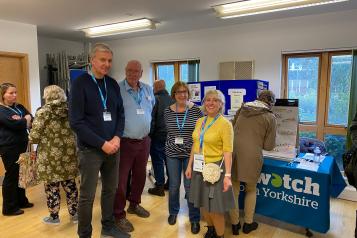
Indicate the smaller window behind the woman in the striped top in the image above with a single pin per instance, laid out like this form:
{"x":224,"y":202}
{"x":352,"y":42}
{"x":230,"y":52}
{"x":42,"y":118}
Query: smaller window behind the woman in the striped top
{"x":186,"y":71}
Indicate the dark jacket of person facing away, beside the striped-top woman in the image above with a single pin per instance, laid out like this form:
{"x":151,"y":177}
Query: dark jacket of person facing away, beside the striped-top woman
{"x":158,"y":129}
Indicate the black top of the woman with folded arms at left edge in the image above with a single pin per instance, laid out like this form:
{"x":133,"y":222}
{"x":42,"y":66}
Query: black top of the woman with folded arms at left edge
{"x":13,"y":132}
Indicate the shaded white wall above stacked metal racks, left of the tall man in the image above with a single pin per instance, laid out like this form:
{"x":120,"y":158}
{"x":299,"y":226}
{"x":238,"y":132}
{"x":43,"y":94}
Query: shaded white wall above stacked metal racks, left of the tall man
{"x":51,"y":45}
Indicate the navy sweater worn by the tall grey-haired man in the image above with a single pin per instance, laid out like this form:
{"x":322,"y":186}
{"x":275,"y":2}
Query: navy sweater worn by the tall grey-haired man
{"x":86,"y":111}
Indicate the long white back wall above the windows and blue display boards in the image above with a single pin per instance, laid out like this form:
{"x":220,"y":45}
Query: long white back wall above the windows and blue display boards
{"x":262,"y":42}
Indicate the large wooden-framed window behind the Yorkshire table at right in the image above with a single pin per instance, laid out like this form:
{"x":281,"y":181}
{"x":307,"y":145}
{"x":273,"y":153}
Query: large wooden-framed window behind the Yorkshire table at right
{"x":321,"y":82}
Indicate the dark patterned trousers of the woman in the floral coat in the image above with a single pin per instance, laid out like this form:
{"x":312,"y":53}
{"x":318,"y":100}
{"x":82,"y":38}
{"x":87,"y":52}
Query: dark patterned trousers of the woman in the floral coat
{"x":54,"y":197}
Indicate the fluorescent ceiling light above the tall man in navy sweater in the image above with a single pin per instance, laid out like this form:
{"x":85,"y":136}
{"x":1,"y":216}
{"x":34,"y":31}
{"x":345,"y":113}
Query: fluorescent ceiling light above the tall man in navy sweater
{"x":120,"y":28}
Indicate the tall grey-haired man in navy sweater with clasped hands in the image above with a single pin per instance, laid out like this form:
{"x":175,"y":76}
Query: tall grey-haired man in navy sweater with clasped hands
{"x":97,"y":118}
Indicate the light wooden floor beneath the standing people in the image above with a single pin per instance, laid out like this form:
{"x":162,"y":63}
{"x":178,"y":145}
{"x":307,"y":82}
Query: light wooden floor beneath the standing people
{"x":29,"y":225}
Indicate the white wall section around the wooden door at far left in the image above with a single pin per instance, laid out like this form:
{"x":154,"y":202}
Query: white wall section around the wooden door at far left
{"x":22,"y":38}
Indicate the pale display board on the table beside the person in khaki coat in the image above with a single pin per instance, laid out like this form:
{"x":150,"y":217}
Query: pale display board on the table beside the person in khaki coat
{"x":287,"y":115}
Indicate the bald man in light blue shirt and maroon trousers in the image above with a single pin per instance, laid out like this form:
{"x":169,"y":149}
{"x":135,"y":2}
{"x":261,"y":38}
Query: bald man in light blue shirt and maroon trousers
{"x":138,"y":100}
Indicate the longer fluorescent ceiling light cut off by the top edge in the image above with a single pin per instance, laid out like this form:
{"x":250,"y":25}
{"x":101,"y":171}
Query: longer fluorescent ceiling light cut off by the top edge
{"x":254,"y":7}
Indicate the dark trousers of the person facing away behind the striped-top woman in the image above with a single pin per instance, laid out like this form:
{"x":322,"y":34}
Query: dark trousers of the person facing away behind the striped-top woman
{"x":158,"y":159}
